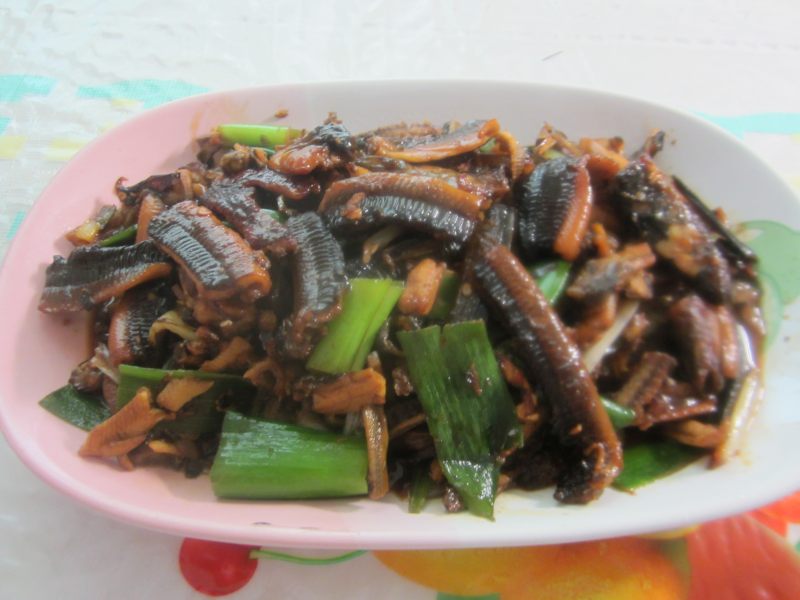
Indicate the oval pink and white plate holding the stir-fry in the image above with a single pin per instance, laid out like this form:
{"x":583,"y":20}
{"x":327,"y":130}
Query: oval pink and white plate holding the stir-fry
{"x":38,"y":351}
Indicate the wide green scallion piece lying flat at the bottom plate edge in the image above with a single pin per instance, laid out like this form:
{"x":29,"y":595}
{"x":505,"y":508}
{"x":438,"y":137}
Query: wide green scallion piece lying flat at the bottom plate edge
{"x":267,"y":460}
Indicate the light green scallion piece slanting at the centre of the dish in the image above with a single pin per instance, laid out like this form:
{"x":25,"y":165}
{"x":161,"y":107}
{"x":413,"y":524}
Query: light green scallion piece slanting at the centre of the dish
{"x":352,"y":333}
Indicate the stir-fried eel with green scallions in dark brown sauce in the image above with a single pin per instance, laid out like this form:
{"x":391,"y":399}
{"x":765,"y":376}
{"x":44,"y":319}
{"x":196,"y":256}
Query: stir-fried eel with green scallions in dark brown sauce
{"x":439,"y":312}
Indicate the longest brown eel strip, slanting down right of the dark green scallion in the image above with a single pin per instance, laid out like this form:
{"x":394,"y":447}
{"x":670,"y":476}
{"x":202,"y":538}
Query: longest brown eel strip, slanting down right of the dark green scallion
{"x":593,"y":451}
